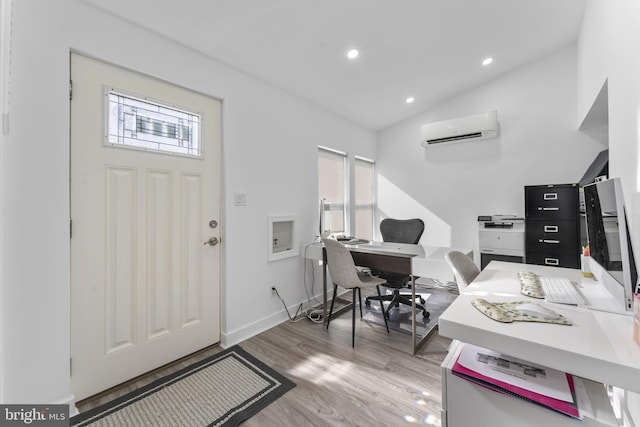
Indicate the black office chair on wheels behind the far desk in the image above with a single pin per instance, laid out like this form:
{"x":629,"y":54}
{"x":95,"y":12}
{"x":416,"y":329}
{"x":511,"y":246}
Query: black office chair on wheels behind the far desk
{"x":399,"y":231}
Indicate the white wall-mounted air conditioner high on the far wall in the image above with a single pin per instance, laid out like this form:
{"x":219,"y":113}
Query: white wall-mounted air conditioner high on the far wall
{"x":477,"y":126}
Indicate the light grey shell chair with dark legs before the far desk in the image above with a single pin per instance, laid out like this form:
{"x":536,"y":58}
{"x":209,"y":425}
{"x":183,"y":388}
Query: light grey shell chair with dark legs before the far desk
{"x":343,"y":273}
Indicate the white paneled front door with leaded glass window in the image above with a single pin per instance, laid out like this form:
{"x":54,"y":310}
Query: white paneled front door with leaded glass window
{"x":145,"y":192}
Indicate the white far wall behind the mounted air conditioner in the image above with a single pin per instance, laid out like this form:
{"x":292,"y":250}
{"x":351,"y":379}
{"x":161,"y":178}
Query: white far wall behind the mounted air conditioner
{"x":538,"y":144}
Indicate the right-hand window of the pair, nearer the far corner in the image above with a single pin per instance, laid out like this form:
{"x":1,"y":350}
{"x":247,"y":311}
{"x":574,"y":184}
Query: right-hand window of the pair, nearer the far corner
{"x":364,"y":200}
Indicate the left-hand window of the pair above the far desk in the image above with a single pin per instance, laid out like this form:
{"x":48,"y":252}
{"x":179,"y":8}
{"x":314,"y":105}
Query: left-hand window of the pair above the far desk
{"x":331,"y":187}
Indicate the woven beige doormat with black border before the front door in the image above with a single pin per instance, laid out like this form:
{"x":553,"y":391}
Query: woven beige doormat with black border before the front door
{"x":222,"y":390}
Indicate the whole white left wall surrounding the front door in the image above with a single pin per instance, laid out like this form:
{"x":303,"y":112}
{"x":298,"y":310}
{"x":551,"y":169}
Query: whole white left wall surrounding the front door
{"x":269,"y":150}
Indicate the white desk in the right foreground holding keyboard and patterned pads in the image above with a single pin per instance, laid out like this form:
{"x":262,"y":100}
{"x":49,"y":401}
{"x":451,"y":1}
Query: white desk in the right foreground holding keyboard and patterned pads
{"x":598,"y":346}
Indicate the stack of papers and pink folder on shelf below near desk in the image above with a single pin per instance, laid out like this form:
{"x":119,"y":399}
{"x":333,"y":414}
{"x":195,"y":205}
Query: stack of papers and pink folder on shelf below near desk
{"x":543,"y":386}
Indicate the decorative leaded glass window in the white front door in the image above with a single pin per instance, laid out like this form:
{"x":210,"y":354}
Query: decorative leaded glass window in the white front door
{"x":147,"y":125}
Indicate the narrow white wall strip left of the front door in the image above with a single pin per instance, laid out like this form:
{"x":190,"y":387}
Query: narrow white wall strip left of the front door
{"x":35,"y":276}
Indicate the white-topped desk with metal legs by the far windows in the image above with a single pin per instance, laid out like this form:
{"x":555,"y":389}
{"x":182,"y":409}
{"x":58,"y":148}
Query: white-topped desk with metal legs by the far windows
{"x":412,"y":260}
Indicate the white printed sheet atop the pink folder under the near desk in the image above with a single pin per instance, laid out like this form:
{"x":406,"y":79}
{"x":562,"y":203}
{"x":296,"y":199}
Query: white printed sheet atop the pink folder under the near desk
{"x":518,"y":372}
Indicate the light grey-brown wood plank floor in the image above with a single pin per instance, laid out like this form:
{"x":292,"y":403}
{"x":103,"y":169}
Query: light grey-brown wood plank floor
{"x":377,"y":383}
